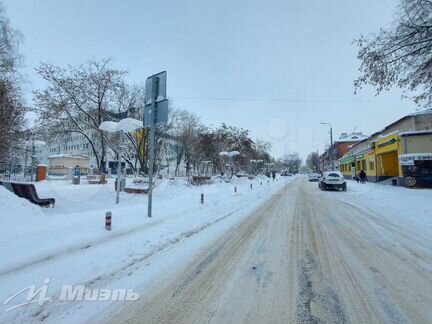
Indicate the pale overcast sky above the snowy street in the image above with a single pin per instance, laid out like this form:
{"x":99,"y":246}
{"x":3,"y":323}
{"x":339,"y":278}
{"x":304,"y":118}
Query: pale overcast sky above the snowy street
{"x":277,"y":68}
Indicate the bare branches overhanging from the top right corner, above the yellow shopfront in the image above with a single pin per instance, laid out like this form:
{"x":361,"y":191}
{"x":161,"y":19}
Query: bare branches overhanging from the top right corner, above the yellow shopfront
{"x":401,"y":55}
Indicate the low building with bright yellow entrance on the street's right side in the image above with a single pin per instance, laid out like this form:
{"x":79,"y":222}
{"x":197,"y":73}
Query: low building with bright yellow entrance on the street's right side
{"x":380,"y":154}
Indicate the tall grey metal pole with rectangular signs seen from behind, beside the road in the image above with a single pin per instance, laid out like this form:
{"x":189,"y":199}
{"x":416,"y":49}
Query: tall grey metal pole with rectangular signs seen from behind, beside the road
{"x":155,"y":112}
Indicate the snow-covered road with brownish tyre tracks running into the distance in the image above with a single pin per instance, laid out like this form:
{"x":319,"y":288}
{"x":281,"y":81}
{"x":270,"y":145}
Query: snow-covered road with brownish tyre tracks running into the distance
{"x":305,"y":256}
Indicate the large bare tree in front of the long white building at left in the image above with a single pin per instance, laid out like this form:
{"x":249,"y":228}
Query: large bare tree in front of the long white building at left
{"x":79,"y":99}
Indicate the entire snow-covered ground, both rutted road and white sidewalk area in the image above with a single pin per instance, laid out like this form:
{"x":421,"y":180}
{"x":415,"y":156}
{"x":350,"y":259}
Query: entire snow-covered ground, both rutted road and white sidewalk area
{"x":276,"y":252}
